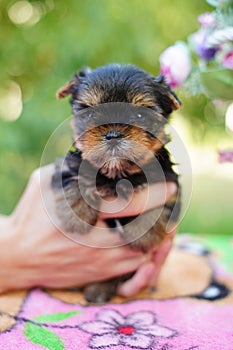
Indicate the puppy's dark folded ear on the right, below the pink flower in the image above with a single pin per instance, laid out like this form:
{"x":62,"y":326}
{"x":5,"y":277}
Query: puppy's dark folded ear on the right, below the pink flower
{"x":166,"y":98}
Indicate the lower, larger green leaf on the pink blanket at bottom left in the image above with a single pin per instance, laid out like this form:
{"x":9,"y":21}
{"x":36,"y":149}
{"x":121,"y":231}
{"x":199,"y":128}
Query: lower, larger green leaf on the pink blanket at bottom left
{"x":44,"y":337}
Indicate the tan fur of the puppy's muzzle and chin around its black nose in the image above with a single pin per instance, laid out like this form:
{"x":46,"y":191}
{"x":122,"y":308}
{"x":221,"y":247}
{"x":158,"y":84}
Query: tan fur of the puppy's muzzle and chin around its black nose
{"x":135,"y":146}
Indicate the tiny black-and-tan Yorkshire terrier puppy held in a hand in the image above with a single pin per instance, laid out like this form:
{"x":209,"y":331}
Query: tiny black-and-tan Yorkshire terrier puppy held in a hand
{"x":120,"y":113}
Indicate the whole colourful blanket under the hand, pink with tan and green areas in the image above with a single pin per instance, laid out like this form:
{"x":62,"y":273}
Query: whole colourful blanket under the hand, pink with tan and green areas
{"x":192,"y":308}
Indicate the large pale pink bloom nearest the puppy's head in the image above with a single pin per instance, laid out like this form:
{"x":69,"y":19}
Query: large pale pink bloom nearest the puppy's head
{"x":175,"y":64}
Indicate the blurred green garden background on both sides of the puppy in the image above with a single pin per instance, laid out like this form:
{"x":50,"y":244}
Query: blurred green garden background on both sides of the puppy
{"x":42,"y":43}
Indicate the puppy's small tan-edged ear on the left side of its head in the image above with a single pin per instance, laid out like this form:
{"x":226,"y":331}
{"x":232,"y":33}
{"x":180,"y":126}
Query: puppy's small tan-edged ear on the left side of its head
{"x":71,"y":87}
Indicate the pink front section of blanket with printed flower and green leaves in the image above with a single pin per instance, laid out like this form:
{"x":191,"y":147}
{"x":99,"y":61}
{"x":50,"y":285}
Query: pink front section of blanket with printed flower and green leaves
{"x":175,"y":324}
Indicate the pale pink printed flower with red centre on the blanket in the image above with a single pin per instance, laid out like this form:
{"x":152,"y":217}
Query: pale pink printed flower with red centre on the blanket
{"x":137,"y":330}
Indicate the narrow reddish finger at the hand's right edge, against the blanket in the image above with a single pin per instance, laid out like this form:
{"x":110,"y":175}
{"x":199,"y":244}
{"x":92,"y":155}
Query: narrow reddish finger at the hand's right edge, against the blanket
{"x":160,"y":256}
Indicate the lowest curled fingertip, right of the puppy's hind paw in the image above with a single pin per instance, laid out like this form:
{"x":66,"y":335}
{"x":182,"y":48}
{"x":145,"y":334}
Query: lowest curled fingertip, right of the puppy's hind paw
{"x":139,"y":280}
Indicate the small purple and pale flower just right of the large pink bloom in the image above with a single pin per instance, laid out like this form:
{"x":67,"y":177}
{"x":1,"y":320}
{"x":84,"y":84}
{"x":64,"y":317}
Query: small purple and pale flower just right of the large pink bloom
{"x":202,"y":49}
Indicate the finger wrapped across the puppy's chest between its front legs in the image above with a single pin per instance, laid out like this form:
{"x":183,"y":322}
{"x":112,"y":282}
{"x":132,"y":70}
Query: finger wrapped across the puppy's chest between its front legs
{"x":152,"y":196}
